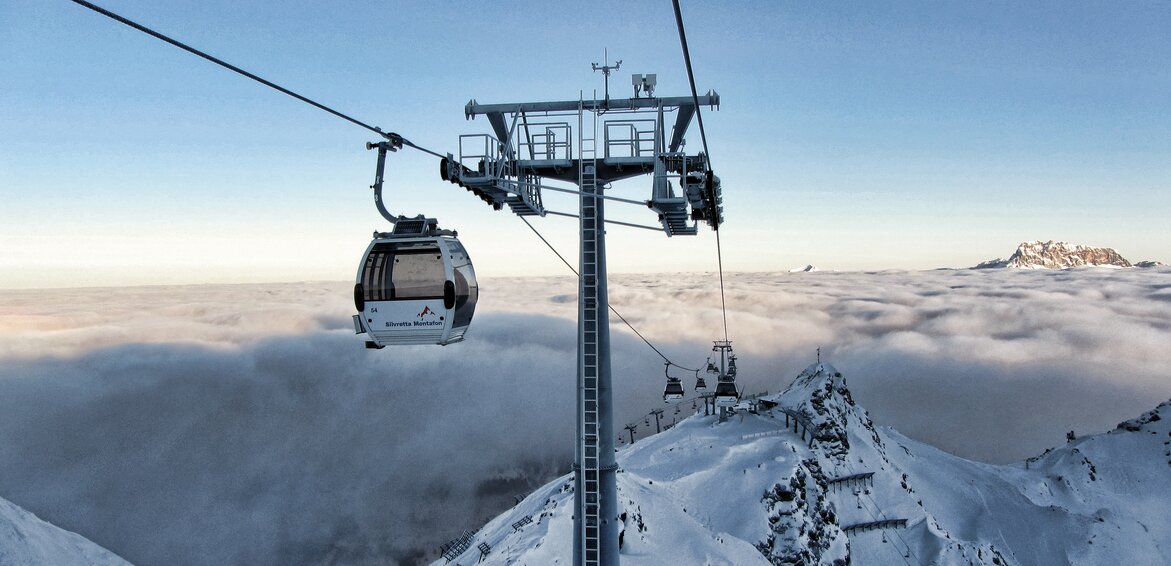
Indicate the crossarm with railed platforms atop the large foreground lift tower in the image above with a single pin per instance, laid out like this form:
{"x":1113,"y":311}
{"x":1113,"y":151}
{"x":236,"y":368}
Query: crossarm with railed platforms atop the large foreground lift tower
{"x":533,"y":142}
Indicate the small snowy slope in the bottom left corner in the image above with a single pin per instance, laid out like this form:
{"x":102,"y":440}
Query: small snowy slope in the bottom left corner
{"x":26,"y":541}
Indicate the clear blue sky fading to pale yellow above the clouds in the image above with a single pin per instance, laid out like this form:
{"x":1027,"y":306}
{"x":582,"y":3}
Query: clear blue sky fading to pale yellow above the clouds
{"x":851,"y":137}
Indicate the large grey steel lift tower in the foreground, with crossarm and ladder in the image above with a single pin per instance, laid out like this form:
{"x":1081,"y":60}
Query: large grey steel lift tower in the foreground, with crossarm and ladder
{"x":592,"y":144}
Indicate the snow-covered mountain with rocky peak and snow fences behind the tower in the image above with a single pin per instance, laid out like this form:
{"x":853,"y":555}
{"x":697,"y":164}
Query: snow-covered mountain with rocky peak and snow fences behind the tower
{"x":805,"y":478}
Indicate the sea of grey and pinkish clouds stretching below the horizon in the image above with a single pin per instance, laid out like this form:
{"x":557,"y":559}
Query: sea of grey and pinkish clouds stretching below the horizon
{"x":248,"y":425}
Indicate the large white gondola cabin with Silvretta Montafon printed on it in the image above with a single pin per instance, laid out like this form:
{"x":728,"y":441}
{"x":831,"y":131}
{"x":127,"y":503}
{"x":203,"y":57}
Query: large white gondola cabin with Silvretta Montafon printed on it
{"x":414,"y":289}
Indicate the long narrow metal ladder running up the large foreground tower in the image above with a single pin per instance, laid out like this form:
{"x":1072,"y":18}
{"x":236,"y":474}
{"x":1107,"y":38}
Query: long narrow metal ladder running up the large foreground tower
{"x":592,"y":466}
